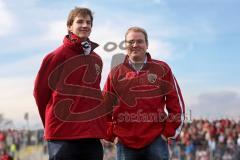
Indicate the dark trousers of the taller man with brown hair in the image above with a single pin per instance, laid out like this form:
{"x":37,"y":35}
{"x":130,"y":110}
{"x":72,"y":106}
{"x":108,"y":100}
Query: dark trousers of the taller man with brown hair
{"x":82,"y":149}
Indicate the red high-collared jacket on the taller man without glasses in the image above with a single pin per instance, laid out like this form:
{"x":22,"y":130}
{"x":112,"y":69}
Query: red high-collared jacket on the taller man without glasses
{"x":67,"y":84}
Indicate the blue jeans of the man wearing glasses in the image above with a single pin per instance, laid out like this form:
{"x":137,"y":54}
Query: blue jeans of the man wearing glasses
{"x":157,"y":150}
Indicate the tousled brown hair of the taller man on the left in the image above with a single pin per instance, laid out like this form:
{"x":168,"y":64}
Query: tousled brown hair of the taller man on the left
{"x":79,"y":11}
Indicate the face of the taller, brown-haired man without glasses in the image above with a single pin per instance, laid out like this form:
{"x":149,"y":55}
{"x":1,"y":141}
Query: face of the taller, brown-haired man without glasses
{"x":81,"y":26}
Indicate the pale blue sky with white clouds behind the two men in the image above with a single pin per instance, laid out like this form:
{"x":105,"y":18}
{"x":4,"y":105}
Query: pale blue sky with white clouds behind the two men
{"x":199,"y":39}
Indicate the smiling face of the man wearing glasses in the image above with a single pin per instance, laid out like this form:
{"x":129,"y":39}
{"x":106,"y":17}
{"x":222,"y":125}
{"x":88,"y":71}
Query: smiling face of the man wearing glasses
{"x":136,"y":46}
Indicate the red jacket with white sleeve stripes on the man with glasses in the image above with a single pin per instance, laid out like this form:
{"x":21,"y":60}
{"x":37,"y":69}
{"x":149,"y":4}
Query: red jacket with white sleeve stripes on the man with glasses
{"x":139,"y":117}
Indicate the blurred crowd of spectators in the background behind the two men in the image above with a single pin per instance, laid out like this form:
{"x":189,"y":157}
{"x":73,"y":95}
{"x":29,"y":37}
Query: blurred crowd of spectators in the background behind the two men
{"x":199,"y":140}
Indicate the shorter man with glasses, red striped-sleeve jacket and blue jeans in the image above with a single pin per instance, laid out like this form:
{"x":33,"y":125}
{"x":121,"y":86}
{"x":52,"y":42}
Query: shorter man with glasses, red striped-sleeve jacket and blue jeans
{"x":150,"y":109}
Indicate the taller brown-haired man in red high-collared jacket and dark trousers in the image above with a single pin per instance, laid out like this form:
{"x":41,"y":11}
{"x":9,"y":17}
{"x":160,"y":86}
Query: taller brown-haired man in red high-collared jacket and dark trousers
{"x":67,"y":84}
